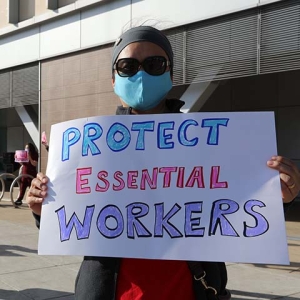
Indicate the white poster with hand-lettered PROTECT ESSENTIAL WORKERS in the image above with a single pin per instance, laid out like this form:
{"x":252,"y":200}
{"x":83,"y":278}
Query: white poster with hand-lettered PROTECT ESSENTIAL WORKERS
{"x":170,"y":186}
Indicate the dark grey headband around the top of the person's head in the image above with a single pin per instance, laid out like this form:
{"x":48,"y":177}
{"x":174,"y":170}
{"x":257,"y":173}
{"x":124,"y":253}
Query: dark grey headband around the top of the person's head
{"x":142,"y":34}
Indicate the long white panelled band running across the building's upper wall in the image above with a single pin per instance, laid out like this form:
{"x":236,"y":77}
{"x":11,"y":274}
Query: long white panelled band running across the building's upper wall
{"x":80,"y":27}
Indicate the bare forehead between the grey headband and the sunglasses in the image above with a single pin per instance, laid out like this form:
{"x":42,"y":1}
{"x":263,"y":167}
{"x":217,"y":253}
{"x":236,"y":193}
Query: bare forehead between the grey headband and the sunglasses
{"x":141,"y":50}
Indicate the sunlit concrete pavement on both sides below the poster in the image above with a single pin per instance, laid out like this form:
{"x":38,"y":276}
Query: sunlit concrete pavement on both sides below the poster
{"x":25,"y":275}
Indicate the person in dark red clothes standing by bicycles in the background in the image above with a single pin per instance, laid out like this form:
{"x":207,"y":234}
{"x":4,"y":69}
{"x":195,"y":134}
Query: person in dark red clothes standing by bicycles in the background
{"x":27,"y":167}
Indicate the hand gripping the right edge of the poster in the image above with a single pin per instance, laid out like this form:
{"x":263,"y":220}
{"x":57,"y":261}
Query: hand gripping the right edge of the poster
{"x":289,"y":177}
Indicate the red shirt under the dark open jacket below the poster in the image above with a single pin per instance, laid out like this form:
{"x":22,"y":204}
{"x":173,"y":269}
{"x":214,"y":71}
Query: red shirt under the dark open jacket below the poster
{"x":144,"y":279}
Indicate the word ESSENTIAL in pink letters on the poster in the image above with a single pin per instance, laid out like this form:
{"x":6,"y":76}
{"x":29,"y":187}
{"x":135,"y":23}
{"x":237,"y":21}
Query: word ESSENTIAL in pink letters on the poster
{"x":163,"y":177}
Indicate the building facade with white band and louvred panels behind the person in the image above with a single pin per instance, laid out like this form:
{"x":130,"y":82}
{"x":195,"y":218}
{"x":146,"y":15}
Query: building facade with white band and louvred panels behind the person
{"x":230,"y":55}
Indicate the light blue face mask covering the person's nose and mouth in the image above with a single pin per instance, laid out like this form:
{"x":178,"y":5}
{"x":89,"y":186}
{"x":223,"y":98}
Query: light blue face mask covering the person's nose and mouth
{"x":143,"y":91}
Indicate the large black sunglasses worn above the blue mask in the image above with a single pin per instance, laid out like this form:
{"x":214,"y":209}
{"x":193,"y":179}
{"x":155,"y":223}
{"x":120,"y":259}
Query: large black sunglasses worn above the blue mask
{"x":153,"y":65}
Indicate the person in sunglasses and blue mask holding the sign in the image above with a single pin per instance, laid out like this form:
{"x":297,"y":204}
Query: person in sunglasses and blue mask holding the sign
{"x":142,"y":70}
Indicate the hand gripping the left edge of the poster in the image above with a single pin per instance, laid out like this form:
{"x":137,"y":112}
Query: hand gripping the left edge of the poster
{"x":37,"y":192}
